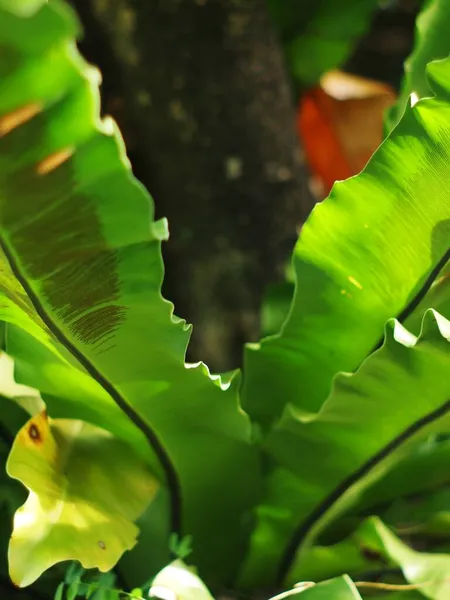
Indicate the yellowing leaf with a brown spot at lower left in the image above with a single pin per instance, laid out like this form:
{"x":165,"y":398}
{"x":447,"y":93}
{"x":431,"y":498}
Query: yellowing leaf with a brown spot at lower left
{"x":86,"y":491}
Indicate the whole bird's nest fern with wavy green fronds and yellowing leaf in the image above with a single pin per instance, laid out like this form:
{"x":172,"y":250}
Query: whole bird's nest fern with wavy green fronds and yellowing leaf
{"x":260,"y":479}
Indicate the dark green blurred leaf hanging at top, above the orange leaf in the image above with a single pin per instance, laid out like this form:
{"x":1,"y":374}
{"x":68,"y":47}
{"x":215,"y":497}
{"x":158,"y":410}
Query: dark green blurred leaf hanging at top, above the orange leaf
{"x":319,"y":36}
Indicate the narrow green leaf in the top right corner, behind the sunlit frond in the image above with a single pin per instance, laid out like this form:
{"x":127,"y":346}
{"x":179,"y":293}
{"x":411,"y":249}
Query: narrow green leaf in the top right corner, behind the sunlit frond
{"x":431,"y":43}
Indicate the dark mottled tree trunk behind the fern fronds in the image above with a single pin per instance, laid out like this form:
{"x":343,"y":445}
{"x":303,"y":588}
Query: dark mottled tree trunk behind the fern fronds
{"x":200,"y":91}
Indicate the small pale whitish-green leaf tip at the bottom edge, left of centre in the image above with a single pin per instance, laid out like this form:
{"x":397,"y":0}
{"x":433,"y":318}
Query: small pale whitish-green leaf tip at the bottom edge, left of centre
{"x":179,"y":581}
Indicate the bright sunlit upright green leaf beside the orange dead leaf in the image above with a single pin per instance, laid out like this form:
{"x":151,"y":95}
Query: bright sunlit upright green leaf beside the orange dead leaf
{"x":362,"y":257}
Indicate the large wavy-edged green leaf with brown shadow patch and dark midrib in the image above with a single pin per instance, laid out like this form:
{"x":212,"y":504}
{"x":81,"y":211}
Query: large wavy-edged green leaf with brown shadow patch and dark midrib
{"x":78,"y":233}
